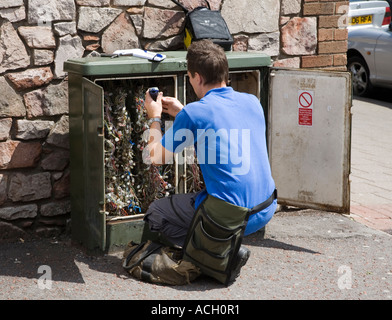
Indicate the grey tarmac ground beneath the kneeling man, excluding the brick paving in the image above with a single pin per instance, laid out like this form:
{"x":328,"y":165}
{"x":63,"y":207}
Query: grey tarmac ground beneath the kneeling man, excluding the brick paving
{"x":304,"y":255}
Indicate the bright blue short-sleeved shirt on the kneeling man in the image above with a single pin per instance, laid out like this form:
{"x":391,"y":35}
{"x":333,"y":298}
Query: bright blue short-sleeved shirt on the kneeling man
{"x":227,"y":129}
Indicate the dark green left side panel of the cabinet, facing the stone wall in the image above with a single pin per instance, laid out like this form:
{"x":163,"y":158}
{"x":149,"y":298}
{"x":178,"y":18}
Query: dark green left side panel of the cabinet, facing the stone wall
{"x":87,"y":180}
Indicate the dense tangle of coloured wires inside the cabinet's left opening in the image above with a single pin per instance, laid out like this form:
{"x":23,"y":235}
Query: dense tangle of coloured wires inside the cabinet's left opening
{"x":130,"y":183}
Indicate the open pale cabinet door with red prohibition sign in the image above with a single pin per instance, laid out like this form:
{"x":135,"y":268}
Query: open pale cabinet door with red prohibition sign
{"x":309,"y":132}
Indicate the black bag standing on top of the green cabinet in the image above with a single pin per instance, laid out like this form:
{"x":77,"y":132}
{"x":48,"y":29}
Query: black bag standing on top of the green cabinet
{"x":204,"y":23}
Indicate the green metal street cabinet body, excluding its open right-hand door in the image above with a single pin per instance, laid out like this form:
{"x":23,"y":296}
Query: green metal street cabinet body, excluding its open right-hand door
{"x":87,"y":77}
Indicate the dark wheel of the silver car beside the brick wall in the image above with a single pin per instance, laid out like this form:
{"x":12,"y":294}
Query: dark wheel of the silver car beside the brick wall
{"x":360,"y":76}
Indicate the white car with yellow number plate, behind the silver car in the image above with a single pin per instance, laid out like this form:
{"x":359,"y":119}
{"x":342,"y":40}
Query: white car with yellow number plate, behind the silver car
{"x":364,"y":14}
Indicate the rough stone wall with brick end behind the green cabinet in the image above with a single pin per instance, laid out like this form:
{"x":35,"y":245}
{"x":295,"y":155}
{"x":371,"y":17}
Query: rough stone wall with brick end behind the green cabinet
{"x":36,"y":37}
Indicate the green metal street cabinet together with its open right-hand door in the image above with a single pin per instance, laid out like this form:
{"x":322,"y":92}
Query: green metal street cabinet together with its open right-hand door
{"x":308,"y":134}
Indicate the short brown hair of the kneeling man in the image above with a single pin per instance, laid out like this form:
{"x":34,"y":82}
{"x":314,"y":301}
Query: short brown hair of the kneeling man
{"x":209,"y":61}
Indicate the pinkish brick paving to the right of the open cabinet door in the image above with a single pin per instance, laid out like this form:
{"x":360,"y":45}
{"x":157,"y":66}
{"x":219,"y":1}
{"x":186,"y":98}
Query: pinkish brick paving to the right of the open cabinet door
{"x":371,"y":163}
